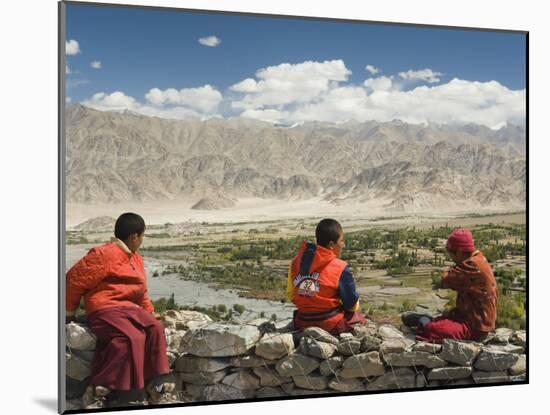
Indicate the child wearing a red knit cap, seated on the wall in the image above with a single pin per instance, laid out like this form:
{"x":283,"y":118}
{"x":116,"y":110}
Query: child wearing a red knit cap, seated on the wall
{"x":472,"y":277}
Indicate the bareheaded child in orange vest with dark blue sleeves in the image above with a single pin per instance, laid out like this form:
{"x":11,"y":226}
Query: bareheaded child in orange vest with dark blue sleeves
{"x":321,"y":285}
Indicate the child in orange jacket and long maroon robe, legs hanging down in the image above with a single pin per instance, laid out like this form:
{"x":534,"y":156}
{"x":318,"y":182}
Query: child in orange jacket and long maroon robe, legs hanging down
{"x":131,"y":348}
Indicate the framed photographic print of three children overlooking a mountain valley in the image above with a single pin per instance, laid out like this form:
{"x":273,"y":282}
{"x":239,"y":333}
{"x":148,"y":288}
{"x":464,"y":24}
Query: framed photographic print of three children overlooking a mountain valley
{"x":269,"y":207}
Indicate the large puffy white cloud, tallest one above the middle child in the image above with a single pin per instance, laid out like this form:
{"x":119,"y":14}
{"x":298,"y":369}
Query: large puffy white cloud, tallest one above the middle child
{"x":289,"y":83}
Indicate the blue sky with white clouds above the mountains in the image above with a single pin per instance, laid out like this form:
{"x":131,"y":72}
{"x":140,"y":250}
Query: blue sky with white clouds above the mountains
{"x":179,"y":64}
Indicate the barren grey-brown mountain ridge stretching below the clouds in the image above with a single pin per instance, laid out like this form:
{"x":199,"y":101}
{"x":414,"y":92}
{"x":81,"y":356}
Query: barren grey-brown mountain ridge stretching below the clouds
{"x":114,"y":157}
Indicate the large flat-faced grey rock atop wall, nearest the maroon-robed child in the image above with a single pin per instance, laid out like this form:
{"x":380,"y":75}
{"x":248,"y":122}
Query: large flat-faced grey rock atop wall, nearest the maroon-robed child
{"x":220,"y":340}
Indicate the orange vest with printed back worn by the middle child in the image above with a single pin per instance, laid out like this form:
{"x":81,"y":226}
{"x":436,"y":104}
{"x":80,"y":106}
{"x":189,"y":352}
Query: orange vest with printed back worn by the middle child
{"x":316,"y":272}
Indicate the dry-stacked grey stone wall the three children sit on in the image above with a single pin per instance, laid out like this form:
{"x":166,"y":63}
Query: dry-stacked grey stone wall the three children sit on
{"x":214,"y":361}
